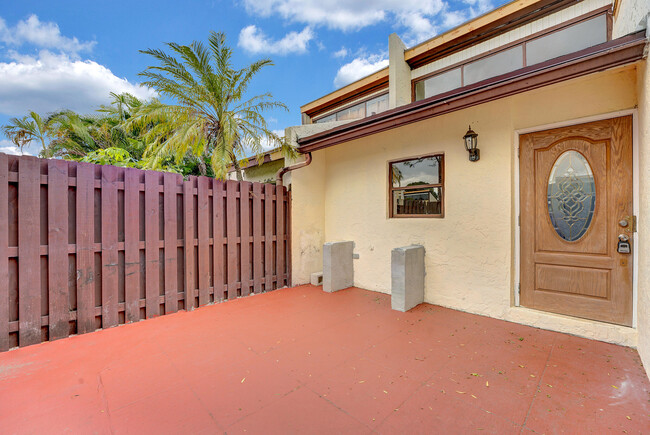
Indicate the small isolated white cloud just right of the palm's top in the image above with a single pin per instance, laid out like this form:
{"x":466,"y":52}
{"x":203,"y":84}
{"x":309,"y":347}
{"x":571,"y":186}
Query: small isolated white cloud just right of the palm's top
{"x":253,"y":40}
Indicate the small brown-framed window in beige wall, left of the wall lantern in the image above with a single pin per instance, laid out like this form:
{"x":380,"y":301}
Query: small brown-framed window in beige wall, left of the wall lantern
{"x":416,"y":187}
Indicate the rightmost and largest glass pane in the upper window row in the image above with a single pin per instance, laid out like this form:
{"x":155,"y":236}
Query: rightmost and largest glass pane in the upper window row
{"x":582,"y":35}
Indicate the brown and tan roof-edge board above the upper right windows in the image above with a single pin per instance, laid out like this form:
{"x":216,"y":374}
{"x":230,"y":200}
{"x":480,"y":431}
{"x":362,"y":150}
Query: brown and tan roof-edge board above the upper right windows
{"x":470,"y":34}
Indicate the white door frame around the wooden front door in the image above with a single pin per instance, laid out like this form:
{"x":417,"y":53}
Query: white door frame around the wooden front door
{"x":635,"y":196}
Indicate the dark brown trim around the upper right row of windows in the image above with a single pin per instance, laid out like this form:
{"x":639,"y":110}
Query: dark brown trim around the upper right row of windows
{"x":604,"y":10}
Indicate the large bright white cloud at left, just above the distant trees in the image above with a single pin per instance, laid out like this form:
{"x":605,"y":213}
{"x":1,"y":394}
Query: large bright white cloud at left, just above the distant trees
{"x":50,"y":82}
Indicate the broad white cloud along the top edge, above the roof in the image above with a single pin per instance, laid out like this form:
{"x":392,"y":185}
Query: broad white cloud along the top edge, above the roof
{"x":421,"y":19}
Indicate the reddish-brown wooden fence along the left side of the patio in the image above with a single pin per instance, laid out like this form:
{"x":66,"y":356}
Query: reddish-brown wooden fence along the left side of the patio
{"x":84,"y":246}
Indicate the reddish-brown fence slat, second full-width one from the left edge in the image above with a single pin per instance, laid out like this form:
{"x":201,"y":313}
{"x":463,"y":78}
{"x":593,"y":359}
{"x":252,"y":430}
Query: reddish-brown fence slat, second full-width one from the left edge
{"x":57,"y":242}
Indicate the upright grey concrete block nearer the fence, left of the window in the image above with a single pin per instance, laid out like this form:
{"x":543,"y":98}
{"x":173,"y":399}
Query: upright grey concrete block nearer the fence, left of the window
{"x":338,"y":272}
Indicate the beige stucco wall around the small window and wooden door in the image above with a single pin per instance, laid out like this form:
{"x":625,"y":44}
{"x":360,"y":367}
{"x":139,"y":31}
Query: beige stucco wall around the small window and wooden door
{"x":469,"y":253}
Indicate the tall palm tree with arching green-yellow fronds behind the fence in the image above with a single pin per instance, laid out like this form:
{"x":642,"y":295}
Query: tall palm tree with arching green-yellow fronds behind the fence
{"x":211,"y":117}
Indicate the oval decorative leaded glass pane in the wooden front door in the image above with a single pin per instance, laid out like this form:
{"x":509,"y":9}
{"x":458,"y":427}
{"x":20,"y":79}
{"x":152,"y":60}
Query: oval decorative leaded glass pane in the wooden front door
{"x":571,"y":196}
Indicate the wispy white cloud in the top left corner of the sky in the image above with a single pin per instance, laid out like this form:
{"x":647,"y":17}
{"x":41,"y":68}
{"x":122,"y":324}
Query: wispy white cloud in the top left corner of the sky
{"x":42,"y":35}
